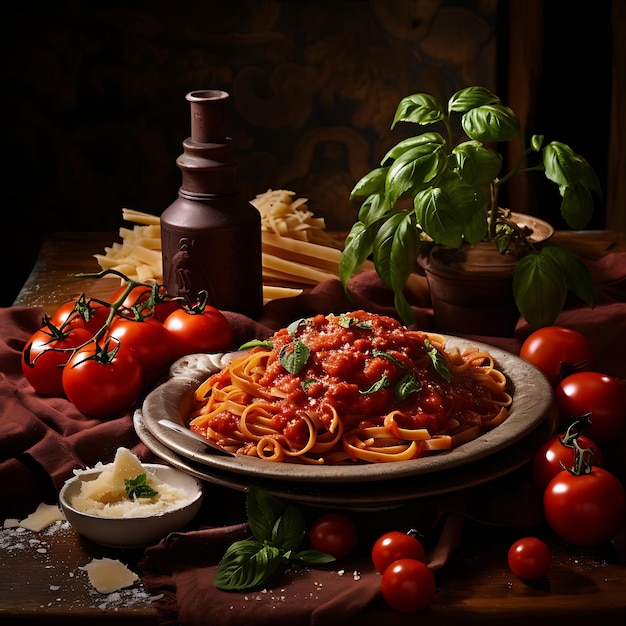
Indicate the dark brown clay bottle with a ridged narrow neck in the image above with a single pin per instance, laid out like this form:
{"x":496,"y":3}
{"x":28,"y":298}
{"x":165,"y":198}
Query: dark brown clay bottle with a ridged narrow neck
{"x":211,"y":236}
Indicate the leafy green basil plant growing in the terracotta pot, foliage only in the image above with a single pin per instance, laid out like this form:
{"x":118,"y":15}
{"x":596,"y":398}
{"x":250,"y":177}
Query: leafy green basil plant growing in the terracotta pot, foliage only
{"x":427,"y":189}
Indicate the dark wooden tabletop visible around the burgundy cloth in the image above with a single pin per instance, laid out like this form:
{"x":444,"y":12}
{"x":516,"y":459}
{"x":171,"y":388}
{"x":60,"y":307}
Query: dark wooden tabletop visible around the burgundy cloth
{"x":42,"y":582}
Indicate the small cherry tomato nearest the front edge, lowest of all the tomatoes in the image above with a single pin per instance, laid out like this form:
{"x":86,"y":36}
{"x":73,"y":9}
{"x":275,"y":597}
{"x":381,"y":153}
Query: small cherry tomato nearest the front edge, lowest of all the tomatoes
{"x":408,"y":586}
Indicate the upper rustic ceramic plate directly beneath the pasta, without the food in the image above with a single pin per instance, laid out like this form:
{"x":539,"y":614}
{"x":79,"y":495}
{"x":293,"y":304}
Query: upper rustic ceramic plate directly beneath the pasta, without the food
{"x":532,"y":399}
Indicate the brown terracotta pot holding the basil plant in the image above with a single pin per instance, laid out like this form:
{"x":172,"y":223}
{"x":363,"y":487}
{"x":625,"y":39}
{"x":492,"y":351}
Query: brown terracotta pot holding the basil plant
{"x":472,"y":288}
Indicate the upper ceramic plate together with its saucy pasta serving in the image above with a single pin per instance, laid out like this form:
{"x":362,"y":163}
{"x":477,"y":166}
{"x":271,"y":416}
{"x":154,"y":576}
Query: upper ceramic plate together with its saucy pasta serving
{"x":348,"y":398}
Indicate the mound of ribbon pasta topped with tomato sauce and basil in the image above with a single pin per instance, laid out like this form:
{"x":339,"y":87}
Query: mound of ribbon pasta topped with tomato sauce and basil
{"x":356,"y":387}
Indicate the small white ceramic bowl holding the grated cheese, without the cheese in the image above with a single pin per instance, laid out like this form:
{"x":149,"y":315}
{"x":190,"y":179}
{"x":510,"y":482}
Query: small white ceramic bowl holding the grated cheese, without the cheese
{"x":133,"y":532}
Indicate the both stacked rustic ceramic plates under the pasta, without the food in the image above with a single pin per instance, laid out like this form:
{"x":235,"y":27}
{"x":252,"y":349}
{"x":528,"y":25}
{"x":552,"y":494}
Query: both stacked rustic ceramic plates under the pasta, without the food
{"x":496,"y":453}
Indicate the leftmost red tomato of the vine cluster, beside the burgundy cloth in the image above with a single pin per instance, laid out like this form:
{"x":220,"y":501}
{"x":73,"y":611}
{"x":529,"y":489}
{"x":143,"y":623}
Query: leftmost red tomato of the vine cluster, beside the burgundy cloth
{"x":46,"y":353}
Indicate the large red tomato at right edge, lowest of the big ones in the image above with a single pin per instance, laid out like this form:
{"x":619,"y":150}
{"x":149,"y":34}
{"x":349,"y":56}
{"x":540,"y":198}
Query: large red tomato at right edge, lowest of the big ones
{"x":587,"y":509}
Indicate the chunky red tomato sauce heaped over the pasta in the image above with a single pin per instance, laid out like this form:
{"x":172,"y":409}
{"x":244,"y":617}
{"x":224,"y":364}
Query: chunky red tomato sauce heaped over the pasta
{"x":355,"y":363}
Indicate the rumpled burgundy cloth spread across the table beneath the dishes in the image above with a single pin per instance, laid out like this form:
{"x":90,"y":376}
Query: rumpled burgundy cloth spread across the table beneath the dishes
{"x":42,"y":440}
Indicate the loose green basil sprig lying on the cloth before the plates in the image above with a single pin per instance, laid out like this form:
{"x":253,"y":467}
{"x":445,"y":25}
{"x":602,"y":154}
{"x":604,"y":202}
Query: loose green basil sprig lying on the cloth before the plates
{"x":278,"y":530}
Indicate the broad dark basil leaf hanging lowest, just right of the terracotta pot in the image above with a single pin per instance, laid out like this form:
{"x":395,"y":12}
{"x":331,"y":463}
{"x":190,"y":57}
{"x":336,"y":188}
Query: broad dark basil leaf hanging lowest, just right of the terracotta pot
{"x":539,"y":289}
